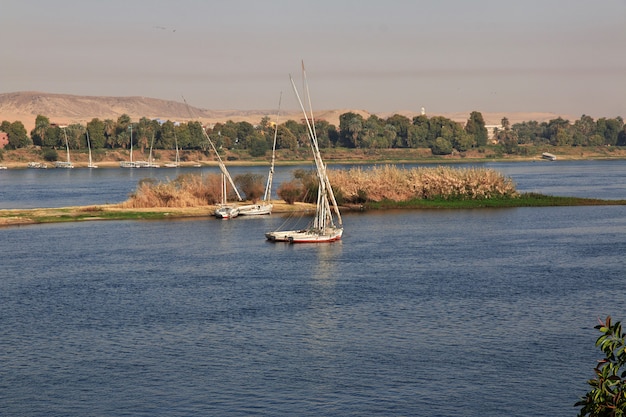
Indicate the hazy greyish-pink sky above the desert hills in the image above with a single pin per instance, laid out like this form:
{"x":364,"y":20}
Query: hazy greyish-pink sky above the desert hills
{"x":562,"y":56}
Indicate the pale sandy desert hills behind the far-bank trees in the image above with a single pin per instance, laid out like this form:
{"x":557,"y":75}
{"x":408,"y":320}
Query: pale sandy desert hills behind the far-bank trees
{"x":68,"y":109}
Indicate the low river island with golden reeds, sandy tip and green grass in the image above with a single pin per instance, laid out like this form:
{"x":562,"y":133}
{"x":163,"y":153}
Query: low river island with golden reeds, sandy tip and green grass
{"x":378,"y":188}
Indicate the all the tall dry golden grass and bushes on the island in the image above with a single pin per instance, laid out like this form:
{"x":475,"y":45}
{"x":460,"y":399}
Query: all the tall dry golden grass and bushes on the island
{"x":355,"y":185}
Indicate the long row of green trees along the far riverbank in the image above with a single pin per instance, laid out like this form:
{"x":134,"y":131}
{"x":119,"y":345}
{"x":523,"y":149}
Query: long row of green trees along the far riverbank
{"x":440,"y":134}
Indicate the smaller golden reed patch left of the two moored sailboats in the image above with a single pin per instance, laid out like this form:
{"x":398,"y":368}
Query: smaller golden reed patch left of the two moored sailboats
{"x":184,"y":191}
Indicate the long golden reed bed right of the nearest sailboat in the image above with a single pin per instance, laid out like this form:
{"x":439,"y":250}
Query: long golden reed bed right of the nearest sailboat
{"x":389,"y":182}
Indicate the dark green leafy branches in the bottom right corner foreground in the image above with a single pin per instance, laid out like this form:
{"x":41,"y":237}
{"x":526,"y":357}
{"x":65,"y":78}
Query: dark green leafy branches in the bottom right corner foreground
{"x":608,"y":394}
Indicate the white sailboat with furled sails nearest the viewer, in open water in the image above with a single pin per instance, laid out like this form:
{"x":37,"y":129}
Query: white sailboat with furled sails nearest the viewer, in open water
{"x":323,"y":228}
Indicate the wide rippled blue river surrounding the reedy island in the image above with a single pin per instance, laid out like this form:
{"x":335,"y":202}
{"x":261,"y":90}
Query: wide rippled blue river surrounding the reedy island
{"x":484,"y":312}
